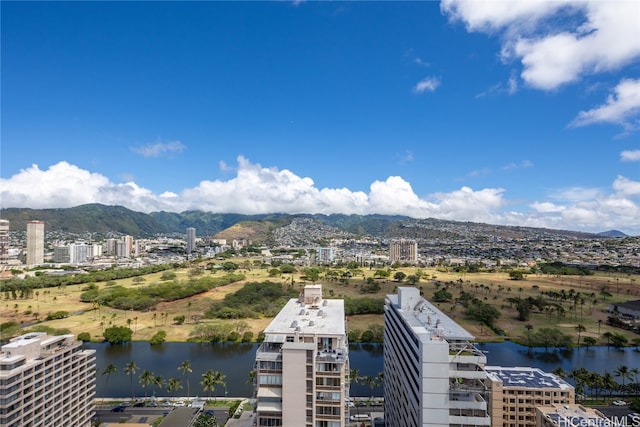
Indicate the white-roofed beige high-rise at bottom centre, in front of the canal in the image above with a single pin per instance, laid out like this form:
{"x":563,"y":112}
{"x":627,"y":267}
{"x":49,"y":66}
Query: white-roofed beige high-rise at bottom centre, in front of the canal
{"x":302,"y":366}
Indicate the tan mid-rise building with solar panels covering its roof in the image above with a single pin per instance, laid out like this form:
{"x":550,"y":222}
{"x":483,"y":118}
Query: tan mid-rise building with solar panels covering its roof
{"x":516,"y":392}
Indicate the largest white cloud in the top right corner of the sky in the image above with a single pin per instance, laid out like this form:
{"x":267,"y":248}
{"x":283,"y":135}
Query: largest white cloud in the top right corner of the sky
{"x":557,"y":42}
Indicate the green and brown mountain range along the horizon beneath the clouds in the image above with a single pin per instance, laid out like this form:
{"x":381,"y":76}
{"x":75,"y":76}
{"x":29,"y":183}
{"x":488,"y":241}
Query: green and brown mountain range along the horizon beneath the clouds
{"x":103,"y":219}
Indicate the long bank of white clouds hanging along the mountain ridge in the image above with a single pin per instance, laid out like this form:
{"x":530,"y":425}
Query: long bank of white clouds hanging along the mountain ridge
{"x":256,"y":189}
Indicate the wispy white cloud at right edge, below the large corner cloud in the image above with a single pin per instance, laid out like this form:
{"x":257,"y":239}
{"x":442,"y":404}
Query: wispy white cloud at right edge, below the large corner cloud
{"x":619,"y":107}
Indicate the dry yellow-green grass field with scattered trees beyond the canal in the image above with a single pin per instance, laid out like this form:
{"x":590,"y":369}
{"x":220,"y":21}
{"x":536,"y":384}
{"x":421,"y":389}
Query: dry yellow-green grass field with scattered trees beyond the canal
{"x":492,"y":288}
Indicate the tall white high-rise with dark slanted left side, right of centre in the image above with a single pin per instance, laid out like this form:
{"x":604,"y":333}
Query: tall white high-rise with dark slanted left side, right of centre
{"x":433,"y":373}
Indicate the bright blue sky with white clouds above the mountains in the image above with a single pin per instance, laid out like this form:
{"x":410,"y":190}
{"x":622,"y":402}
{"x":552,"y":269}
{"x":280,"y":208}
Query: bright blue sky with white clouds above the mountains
{"x":505,"y":112}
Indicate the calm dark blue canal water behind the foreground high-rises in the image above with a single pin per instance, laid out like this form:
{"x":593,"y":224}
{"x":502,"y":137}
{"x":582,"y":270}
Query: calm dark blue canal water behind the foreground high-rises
{"x":235,"y":360}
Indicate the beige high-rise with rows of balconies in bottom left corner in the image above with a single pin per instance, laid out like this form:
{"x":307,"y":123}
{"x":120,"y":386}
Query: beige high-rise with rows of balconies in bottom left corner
{"x":46,"y":381}
